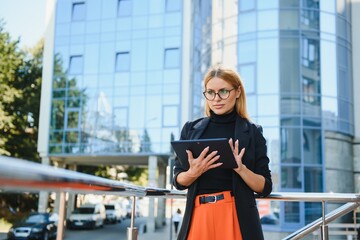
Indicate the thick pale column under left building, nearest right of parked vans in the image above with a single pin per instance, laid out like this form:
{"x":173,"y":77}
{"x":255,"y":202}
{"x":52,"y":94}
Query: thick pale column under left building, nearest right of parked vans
{"x":152,"y":166}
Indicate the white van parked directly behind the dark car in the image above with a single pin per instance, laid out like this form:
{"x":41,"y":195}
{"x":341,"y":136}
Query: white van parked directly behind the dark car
{"x":87,"y":216}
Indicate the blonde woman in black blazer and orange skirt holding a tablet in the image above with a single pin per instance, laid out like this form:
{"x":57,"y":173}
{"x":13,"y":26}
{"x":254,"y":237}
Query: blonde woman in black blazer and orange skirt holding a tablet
{"x":233,"y":214}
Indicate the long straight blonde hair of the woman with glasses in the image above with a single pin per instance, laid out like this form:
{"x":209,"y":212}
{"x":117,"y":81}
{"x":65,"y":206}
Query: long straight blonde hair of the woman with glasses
{"x":229,"y":75}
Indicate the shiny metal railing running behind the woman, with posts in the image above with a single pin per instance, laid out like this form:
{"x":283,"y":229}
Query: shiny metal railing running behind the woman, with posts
{"x":21,"y":175}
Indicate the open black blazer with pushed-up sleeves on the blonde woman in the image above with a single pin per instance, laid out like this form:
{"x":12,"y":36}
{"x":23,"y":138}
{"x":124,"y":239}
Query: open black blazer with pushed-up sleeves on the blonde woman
{"x":255,"y":158}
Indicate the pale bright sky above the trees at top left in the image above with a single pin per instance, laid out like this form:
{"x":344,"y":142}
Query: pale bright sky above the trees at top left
{"x":24,"y":19}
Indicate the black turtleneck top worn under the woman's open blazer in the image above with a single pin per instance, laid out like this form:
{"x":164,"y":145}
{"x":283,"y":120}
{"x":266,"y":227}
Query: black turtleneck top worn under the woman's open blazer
{"x":218,"y":179}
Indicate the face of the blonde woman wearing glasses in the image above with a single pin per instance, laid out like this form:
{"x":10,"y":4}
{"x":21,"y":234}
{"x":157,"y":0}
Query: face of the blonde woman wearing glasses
{"x":222,"y":106}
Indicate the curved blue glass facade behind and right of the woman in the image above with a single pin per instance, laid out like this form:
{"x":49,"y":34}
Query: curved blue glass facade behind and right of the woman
{"x":294,"y":58}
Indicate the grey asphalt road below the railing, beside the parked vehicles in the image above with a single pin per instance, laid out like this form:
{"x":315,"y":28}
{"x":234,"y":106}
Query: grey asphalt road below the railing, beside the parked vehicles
{"x":116,"y":231}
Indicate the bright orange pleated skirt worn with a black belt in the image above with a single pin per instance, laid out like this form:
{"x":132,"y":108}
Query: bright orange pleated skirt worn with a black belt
{"x":215,"y":218}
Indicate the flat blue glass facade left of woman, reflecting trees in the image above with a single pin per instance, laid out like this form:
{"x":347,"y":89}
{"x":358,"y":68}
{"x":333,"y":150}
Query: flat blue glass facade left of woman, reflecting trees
{"x":117,"y":78}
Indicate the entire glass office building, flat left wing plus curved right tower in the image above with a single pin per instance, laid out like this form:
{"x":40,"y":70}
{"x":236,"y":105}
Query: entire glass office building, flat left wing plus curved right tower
{"x":122,"y":69}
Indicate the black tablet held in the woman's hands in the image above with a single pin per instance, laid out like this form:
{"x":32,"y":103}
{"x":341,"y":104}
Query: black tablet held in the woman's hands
{"x":197,"y":145}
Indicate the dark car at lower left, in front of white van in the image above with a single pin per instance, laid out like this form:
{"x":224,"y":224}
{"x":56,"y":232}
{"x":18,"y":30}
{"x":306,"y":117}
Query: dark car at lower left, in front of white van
{"x":35,"y":226}
